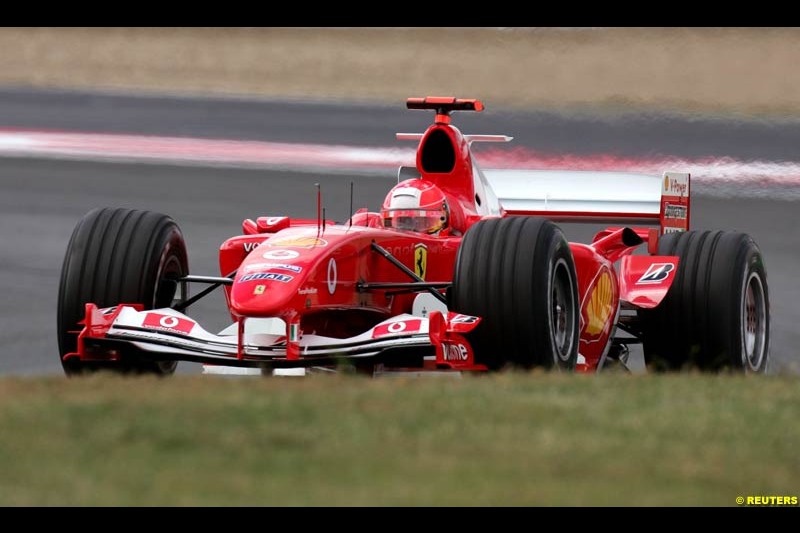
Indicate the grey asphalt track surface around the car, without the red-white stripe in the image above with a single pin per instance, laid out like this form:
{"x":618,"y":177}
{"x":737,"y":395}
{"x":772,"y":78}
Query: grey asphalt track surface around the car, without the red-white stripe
{"x":41,"y":200}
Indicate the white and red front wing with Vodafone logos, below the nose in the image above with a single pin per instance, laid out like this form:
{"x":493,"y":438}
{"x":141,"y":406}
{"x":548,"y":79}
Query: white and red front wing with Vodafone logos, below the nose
{"x":126,"y":332}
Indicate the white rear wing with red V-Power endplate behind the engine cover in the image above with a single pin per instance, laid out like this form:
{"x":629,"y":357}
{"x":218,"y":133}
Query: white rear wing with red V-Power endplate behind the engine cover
{"x":586,"y":196}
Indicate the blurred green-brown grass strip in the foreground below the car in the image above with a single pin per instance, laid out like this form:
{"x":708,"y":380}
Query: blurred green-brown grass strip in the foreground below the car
{"x":508,"y":439}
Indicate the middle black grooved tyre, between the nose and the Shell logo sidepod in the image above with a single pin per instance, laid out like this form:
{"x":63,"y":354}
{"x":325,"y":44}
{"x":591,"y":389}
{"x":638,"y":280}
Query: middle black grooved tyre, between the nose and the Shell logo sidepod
{"x":518,"y":274}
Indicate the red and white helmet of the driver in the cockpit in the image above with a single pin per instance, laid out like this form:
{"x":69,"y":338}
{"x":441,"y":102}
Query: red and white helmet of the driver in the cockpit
{"x":415,"y":205}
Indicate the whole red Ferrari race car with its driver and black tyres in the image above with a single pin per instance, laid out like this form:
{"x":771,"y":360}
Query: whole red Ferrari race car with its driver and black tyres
{"x":463,"y":269}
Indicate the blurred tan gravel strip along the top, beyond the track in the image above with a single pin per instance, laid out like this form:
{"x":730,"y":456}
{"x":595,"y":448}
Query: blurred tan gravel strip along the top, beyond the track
{"x":749,"y":71}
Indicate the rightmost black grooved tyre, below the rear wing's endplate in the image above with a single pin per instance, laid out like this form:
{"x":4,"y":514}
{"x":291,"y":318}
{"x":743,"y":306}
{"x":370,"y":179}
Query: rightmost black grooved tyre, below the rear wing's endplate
{"x":716,"y":313}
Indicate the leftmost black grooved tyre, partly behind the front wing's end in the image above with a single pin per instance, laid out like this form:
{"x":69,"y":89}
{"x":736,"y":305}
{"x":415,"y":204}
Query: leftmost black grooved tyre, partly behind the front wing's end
{"x":118,"y":255}
